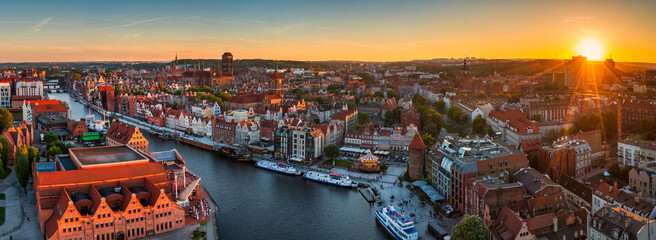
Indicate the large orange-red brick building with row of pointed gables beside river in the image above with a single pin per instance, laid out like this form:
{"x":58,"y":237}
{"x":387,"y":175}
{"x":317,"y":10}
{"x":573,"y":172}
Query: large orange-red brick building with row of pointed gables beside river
{"x":112,"y":192}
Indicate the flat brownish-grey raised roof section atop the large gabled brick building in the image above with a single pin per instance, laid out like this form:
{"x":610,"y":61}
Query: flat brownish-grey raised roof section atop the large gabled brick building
{"x":105,"y":155}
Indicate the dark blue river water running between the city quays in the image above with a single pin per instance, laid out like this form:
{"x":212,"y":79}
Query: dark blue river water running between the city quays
{"x":258,"y":204}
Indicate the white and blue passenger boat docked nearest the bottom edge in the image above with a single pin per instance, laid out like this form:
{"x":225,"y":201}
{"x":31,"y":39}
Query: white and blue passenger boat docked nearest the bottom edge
{"x":400,"y":227}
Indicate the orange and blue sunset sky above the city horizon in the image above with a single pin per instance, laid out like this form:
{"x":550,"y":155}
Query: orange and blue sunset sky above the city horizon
{"x":324,"y":30}
